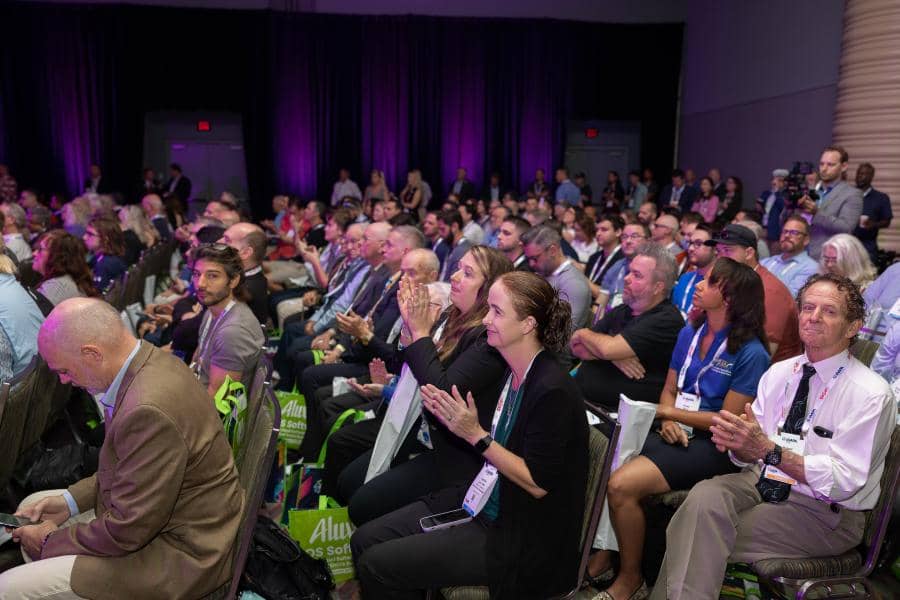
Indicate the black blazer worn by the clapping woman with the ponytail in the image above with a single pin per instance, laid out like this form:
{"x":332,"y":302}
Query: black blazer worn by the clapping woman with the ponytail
{"x":533,"y":548}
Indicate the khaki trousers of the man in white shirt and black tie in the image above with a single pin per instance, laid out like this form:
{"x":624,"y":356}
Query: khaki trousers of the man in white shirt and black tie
{"x":725,"y":520}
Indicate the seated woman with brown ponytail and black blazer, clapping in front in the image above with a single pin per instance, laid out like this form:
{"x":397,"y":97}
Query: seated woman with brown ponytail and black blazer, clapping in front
{"x":524,"y":540}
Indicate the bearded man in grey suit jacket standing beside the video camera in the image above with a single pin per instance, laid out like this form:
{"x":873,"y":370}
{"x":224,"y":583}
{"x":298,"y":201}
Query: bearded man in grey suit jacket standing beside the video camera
{"x":839,"y":205}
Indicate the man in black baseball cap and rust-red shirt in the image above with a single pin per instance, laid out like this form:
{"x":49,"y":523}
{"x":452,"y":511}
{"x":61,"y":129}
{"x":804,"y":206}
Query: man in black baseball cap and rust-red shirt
{"x":782,"y":326}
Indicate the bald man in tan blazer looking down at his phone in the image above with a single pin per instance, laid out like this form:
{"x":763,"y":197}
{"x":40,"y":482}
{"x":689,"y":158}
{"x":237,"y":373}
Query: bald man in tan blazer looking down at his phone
{"x":160,"y":517}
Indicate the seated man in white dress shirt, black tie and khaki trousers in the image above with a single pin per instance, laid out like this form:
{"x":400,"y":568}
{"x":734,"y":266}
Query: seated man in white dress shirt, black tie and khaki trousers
{"x":813,"y":445}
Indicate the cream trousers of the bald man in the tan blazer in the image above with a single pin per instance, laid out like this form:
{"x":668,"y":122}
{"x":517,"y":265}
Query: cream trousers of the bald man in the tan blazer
{"x":48,"y":578}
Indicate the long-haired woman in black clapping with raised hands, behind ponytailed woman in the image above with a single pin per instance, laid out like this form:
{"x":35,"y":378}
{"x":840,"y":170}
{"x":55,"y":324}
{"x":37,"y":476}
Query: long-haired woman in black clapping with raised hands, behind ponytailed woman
{"x":461,"y":357}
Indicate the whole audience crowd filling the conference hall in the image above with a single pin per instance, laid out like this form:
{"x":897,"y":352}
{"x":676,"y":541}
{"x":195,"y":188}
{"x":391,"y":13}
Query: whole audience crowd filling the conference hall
{"x":469,"y":326}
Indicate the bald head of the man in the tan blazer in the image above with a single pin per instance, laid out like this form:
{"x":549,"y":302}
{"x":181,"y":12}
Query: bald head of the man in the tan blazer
{"x":85,"y":342}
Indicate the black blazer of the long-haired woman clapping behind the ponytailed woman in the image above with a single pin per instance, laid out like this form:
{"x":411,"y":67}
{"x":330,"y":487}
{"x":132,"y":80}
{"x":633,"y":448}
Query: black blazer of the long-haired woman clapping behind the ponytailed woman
{"x":472,"y":366}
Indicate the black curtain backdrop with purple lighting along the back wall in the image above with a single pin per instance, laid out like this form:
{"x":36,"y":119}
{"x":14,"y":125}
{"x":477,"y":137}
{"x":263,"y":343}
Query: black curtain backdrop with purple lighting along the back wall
{"x":316,"y":91}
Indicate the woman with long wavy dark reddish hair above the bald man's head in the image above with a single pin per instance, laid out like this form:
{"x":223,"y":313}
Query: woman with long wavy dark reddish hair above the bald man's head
{"x":59,"y":258}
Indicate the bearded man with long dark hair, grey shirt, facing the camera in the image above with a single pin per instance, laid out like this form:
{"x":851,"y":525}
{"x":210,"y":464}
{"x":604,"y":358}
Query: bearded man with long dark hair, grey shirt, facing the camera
{"x":230,"y":339}
